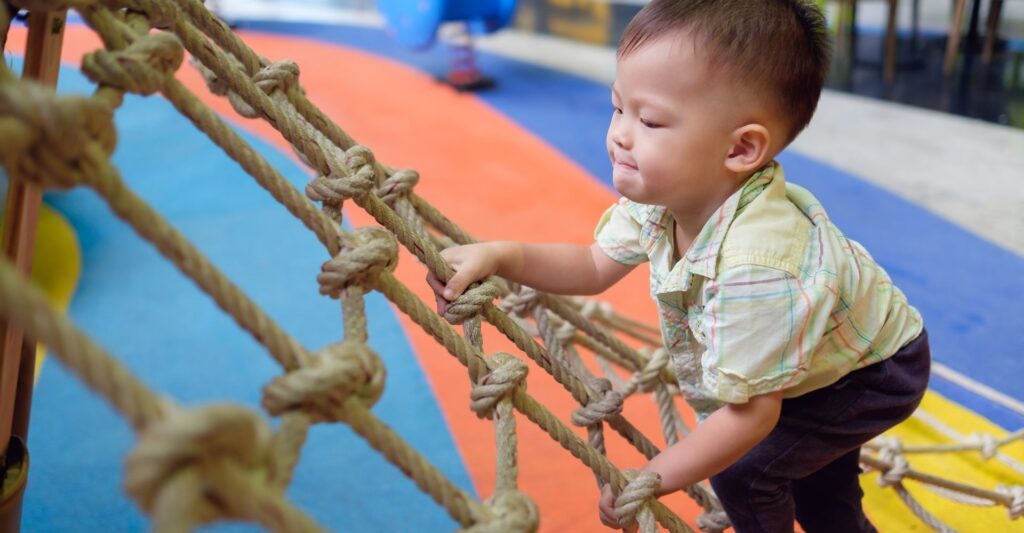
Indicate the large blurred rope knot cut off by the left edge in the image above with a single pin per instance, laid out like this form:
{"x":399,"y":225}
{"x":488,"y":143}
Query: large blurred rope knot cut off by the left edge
{"x":53,"y":141}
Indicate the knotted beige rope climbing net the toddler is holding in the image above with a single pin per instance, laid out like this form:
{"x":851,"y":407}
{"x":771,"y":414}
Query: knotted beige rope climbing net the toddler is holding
{"x":193,"y":467}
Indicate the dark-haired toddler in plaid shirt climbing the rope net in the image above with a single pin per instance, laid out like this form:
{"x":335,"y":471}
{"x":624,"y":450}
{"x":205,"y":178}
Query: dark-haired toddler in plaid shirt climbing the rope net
{"x":790,"y":342}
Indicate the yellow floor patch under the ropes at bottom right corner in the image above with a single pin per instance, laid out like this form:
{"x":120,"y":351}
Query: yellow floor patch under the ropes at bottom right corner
{"x":887,"y":510}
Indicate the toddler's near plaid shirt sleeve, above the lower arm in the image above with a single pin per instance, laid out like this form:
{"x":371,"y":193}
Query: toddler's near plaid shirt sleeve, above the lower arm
{"x":761,"y":327}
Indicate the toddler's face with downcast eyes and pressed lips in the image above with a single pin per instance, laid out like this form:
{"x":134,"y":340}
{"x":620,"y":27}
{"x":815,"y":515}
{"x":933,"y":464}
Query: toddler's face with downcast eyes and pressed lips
{"x":671,"y":125}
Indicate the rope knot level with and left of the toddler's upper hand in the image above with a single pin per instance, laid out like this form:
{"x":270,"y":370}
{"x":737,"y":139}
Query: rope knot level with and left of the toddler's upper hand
{"x":373,"y":251}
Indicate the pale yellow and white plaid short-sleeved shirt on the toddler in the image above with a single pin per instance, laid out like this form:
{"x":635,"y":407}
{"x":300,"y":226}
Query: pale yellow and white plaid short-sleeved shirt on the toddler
{"x":771,"y":296}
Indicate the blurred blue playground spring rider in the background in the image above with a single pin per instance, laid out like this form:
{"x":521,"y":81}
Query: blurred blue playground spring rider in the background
{"x":417,"y":24}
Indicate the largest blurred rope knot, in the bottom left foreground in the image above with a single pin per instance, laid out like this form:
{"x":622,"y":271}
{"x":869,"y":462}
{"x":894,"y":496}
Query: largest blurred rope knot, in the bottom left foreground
{"x":196,"y":463}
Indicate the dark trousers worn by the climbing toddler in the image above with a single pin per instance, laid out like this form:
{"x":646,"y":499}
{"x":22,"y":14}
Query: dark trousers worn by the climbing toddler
{"x":808,"y":467}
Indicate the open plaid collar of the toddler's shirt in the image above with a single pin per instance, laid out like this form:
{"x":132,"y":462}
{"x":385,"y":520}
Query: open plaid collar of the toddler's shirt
{"x":702,"y":259}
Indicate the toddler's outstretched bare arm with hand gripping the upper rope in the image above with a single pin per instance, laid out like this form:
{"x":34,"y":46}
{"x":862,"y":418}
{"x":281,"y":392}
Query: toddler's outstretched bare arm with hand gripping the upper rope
{"x":564,"y":270}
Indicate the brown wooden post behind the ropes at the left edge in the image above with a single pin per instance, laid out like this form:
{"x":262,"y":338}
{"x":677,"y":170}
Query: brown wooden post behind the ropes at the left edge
{"x":42,"y":63}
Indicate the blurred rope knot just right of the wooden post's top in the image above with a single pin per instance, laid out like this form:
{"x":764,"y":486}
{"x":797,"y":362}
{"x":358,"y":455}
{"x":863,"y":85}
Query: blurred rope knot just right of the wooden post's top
{"x":142,"y":68}
